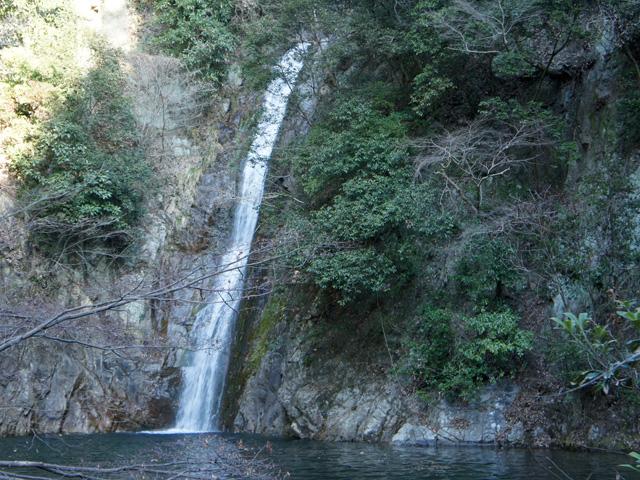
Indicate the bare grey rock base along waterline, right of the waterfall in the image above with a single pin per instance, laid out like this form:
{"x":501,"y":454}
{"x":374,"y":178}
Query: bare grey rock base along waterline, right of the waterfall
{"x":336,"y":401}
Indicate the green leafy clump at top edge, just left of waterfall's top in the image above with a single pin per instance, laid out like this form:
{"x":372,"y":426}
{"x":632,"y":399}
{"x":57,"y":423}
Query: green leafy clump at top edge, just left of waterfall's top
{"x":199,"y":32}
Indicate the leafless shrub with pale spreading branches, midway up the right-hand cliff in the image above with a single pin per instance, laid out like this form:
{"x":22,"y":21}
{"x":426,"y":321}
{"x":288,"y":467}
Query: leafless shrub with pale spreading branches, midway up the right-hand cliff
{"x":502,"y":145}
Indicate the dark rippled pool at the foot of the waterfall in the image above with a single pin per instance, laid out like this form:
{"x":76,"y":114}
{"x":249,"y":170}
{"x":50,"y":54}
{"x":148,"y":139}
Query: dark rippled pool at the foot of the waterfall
{"x":335,"y":461}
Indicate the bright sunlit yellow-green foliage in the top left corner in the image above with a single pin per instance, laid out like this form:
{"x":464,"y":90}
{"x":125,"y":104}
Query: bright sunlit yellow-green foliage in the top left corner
{"x":40,"y":67}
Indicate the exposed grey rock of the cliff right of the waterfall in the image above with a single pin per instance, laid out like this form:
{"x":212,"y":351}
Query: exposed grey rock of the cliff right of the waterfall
{"x":330,"y":376}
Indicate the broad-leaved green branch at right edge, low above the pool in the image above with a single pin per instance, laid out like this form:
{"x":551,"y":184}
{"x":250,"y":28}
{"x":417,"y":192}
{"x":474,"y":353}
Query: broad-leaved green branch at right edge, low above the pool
{"x":612,"y":359}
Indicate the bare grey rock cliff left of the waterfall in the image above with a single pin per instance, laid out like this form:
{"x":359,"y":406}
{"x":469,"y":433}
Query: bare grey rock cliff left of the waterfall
{"x":115,"y":370}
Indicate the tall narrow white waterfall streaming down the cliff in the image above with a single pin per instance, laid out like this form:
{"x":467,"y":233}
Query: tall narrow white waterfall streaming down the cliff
{"x":214,"y":325}
